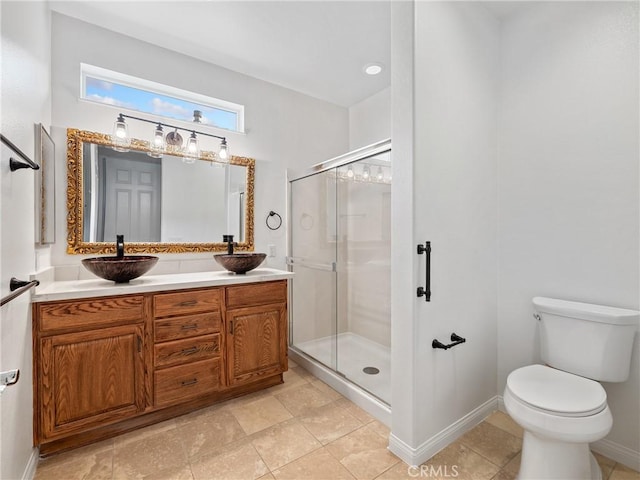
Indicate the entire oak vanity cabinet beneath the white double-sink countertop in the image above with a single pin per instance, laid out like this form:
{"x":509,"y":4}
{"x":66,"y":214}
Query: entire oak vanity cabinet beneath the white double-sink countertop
{"x":103,"y":366}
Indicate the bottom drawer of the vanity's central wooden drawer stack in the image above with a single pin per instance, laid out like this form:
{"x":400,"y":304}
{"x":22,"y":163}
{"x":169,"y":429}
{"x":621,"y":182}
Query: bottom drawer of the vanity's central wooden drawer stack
{"x":176,"y":384}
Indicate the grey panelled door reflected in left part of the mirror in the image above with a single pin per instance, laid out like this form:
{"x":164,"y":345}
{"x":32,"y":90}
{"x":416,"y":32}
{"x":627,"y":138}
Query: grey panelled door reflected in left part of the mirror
{"x":122,"y":196}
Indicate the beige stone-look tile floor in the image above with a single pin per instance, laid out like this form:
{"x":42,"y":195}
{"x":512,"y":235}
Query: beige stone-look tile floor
{"x":300,"y":430}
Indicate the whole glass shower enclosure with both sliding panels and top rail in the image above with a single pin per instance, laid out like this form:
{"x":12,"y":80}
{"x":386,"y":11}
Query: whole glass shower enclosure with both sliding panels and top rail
{"x":340,"y":252}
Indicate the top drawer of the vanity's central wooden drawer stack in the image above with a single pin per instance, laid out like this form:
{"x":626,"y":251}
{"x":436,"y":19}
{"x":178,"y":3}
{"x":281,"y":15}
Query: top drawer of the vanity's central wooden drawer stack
{"x":191,"y":301}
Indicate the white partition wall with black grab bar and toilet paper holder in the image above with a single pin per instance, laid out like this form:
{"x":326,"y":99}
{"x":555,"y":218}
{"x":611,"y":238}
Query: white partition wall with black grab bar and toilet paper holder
{"x":455,"y":194}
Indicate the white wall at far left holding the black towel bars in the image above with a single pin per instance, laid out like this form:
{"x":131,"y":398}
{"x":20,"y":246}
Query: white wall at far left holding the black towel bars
{"x":25,"y":101}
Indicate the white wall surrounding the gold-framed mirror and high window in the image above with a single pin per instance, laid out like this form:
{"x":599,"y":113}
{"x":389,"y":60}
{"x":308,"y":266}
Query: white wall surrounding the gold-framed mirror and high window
{"x":285,"y":129}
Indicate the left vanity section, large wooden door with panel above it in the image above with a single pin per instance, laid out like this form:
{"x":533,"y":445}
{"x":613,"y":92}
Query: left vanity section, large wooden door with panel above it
{"x":88,"y":364}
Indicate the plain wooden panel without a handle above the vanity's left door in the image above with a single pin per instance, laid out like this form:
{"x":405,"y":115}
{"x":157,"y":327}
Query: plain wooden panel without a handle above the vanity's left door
{"x":91,"y":313}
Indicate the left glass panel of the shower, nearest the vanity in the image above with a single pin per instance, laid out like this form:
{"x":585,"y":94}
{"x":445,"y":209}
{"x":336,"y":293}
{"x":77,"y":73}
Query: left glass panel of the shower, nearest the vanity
{"x":313,"y":259}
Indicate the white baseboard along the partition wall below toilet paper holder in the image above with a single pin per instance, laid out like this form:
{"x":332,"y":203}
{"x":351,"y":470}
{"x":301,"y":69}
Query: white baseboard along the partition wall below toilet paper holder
{"x":419,"y":455}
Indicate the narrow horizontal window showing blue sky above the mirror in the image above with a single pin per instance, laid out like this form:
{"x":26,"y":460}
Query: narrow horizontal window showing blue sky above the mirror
{"x":125,"y":91}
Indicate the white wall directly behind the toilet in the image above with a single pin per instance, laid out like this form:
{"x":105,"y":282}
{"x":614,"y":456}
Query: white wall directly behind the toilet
{"x":568,"y":177}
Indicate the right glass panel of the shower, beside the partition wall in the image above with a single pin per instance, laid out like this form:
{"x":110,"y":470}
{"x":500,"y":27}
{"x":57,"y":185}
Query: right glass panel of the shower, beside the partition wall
{"x":364,"y":273}
